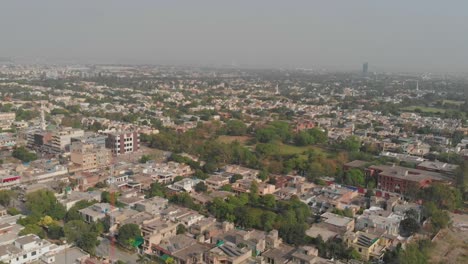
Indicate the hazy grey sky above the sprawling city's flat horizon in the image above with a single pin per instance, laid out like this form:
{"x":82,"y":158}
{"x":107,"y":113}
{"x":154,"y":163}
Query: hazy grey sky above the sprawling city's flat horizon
{"x":414,"y":35}
